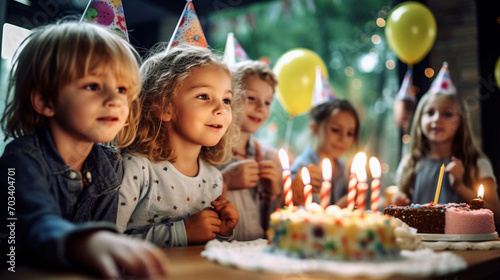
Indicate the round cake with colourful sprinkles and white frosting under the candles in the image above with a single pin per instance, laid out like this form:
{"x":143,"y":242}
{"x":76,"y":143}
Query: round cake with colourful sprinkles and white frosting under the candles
{"x":334,"y":234}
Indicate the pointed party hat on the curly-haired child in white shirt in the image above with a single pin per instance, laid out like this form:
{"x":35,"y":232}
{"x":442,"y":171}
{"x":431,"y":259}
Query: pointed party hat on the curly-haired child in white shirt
{"x":188,"y":29}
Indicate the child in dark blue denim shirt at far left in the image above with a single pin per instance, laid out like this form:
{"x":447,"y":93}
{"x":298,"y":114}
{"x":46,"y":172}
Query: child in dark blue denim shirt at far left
{"x":73,"y":85}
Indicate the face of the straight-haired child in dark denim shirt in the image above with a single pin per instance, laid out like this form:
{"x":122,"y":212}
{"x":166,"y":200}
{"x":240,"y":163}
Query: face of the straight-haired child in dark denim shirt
{"x":93,"y":108}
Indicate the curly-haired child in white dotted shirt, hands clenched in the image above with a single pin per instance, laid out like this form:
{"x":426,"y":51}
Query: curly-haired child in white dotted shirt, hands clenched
{"x":171,"y":192}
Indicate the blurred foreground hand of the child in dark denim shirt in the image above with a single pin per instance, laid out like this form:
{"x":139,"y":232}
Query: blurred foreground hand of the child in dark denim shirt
{"x":107,"y":252}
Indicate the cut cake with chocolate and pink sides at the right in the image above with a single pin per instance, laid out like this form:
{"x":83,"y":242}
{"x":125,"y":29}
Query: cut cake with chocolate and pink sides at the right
{"x":451,"y":218}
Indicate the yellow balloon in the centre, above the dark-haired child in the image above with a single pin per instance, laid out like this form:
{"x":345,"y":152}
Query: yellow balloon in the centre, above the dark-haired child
{"x":296,"y":72}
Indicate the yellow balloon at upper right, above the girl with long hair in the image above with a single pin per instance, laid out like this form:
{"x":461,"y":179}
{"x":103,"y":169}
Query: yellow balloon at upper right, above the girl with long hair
{"x":411,"y":31}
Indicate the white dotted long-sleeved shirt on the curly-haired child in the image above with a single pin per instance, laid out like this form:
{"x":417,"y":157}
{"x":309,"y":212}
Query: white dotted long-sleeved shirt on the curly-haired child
{"x":155,"y":199}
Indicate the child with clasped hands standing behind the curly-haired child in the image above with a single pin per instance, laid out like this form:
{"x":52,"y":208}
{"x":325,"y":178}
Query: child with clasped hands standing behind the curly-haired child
{"x":253,"y":177}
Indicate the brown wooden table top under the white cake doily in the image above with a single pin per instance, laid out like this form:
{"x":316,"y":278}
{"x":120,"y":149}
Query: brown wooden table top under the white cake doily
{"x":186,"y":263}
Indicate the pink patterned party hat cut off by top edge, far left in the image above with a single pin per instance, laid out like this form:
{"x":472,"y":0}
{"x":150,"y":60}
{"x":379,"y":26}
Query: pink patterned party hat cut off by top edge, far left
{"x":108,"y":13}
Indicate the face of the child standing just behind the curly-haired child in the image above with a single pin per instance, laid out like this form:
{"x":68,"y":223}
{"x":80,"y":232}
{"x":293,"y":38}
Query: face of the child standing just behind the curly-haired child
{"x":259,"y":97}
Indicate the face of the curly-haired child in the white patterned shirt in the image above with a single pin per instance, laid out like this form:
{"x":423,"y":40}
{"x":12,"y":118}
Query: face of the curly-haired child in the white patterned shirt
{"x":203,"y":107}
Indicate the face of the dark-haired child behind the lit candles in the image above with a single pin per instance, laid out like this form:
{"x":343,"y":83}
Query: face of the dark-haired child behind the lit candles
{"x":337,"y":134}
